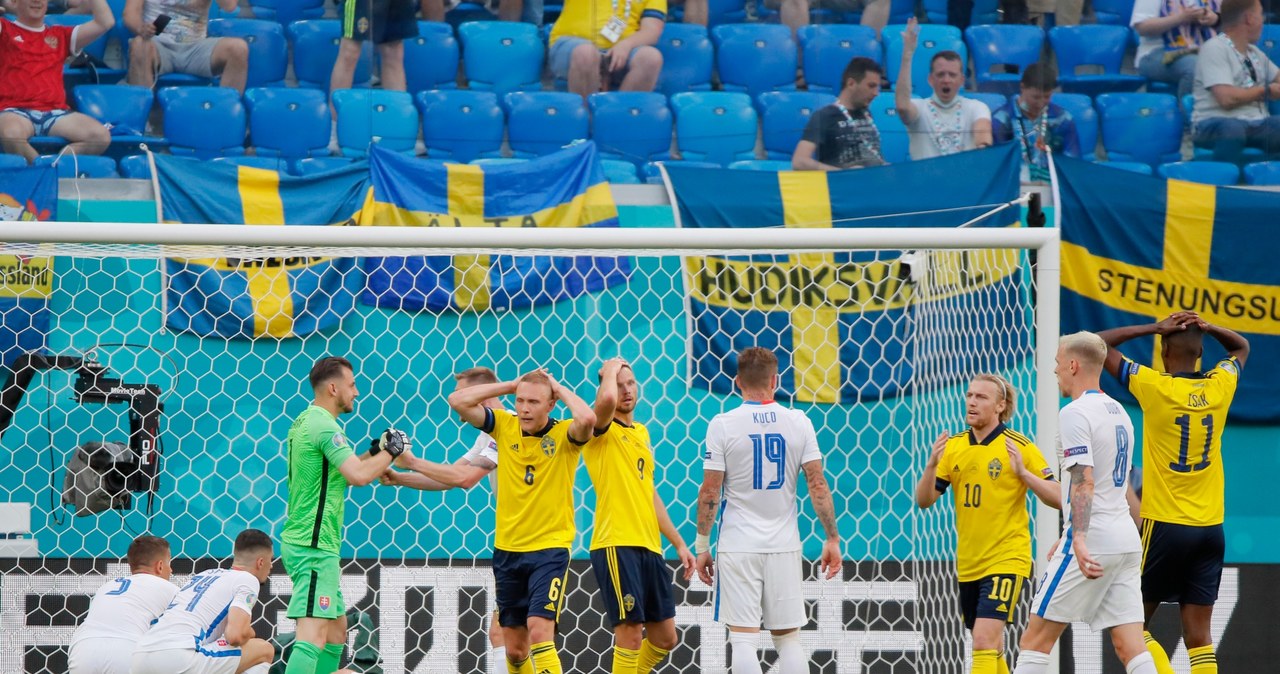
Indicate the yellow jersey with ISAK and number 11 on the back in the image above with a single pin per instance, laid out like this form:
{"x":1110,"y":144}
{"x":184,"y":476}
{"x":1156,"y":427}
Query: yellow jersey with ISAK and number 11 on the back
{"x":1183,"y":418}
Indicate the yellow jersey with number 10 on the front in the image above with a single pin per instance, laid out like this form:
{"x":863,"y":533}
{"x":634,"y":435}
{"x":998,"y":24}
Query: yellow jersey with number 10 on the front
{"x":993,"y":526}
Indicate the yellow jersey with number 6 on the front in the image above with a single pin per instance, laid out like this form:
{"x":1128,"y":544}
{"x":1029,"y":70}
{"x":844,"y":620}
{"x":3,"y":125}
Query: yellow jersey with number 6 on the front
{"x":536,"y":484}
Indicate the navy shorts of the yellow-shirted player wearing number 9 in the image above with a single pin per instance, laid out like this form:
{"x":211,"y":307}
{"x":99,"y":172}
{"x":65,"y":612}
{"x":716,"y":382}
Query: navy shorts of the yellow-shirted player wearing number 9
{"x":636,"y":585}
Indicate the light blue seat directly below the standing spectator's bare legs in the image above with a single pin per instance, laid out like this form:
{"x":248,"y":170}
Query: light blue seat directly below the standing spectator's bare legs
{"x":376,"y":117}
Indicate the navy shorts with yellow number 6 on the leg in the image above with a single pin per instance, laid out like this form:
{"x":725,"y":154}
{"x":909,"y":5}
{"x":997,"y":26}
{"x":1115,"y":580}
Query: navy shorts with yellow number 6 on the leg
{"x":531,"y":584}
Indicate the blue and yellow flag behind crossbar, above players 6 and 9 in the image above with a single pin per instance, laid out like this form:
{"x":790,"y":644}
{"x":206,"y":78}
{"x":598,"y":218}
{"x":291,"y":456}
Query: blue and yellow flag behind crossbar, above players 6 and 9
{"x":564,"y":190}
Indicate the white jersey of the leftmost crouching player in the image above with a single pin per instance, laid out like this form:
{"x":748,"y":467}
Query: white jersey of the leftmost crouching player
{"x":125,"y":608}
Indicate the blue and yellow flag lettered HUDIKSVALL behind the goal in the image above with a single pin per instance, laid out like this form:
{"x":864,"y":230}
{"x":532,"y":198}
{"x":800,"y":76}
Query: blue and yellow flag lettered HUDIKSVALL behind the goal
{"x":842,"y":324}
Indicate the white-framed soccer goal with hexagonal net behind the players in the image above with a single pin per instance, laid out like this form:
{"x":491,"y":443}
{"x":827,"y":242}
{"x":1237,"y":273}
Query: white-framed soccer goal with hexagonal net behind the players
{"x":172,"y":360}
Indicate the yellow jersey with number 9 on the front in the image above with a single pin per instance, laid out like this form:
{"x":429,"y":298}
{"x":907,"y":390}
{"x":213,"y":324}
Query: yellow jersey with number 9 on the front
{"x":620,"y":462}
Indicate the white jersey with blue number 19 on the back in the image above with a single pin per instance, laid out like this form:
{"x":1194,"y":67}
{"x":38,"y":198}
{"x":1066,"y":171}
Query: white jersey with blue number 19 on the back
{"x":761,"y":448}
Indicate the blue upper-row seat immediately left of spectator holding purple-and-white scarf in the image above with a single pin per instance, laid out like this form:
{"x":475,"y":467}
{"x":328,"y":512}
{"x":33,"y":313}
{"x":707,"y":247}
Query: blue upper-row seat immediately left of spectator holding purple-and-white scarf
{"x":1098,"y":47}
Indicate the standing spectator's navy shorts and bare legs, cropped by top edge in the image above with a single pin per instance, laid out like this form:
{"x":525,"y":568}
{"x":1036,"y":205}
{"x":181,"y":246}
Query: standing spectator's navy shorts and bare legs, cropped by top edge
{"x":388,"y":24}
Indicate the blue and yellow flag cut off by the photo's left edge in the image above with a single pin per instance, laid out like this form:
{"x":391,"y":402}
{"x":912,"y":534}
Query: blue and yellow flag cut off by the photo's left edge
{"x":26,"y":281}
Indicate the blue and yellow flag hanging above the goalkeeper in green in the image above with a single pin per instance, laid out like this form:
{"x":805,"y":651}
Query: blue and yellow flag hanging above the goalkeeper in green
{"x":277,"y":297}
